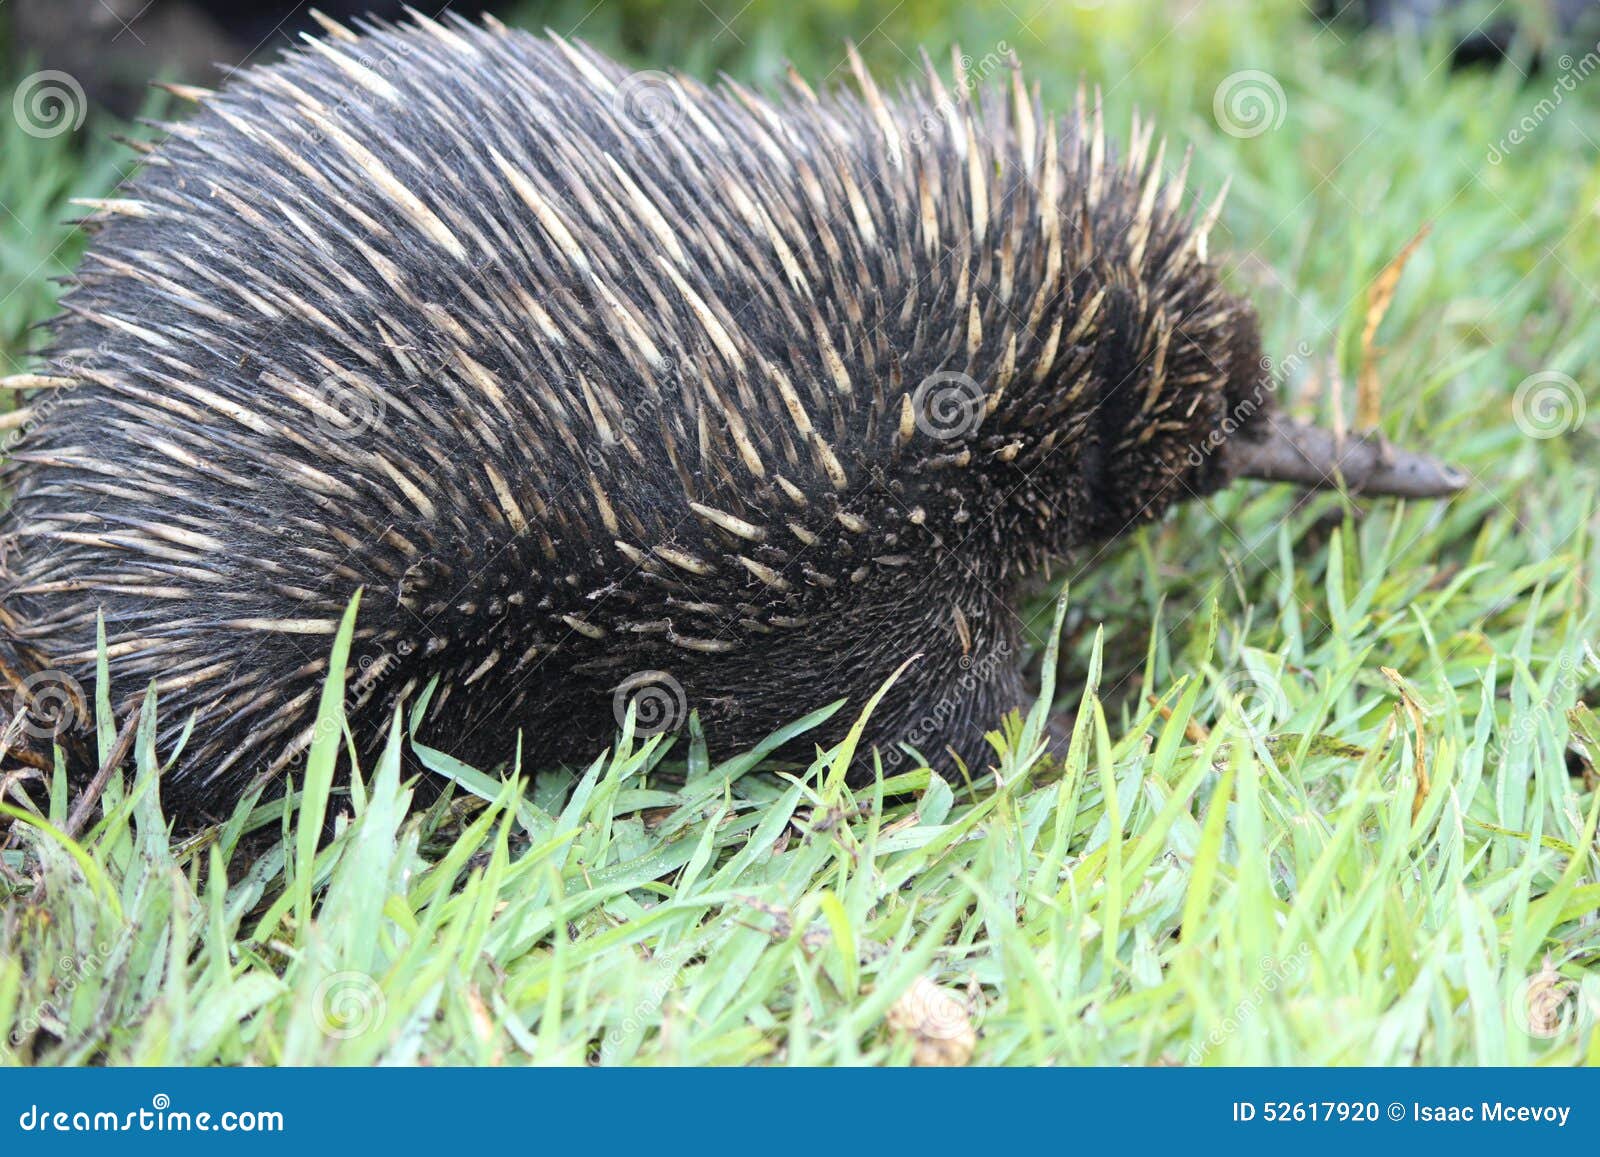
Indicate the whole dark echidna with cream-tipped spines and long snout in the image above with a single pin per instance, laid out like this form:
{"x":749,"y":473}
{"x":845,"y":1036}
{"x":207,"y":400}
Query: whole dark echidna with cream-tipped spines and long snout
{"x":601,"y":385}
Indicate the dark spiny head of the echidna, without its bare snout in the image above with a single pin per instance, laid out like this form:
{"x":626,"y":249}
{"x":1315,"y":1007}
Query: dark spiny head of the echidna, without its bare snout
{"x":1137,"y":396}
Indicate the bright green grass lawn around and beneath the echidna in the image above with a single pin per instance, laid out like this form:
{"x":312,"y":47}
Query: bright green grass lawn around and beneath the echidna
{"x":1246,"y":873}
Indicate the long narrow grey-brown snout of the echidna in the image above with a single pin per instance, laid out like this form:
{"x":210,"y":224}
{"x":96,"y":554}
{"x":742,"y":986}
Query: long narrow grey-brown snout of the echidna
{"x":1318,"y":458}
